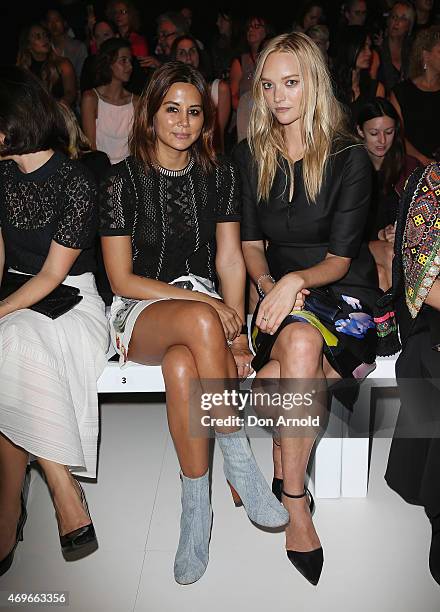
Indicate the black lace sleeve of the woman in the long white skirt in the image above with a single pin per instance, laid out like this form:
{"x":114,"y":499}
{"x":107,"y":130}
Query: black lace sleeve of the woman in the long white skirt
{"x":78,"y":221}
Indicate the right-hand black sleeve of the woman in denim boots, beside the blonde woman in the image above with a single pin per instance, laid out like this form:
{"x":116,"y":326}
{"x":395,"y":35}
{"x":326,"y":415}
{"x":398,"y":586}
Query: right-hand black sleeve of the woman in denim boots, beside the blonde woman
{"x":228,"y":192}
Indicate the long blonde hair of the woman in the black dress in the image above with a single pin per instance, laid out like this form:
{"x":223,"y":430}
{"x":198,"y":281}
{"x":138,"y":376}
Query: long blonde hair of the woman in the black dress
{"x":322,"y":118}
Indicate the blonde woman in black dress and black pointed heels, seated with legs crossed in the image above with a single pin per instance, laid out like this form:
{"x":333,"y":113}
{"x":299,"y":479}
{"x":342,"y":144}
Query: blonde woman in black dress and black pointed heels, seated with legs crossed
{"x":306,"y":191}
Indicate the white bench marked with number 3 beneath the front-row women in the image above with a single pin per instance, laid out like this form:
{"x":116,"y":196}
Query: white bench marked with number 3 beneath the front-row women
{"x":340,"y":464}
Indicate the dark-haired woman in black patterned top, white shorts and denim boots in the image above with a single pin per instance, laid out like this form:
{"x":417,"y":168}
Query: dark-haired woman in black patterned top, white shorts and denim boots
{"x":170,"y":232}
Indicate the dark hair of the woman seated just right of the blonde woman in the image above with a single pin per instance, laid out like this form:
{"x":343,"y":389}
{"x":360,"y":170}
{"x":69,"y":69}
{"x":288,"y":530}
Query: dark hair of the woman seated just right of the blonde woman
{"x":393,"y":163}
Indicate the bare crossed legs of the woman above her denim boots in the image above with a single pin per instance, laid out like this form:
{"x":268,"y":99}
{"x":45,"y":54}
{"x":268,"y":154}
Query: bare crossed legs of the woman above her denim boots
{"x":187,"y":338}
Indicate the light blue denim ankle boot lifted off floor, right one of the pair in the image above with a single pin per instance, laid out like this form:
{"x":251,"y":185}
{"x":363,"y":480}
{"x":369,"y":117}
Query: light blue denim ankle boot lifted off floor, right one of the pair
{"x":242,"y":472}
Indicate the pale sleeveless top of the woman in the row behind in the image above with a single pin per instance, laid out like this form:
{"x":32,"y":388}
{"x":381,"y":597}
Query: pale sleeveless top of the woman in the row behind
{"x":113,"y":126}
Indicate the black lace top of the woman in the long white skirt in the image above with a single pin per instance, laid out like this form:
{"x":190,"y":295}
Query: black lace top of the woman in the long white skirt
{"x":58,"y":201}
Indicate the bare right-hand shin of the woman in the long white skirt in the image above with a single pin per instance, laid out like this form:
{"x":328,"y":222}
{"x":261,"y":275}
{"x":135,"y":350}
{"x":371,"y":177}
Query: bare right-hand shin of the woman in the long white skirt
{"x":66,"y":497}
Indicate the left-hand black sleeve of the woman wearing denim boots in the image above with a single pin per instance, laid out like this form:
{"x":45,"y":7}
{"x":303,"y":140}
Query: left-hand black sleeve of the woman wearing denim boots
{"x":116,"y":202}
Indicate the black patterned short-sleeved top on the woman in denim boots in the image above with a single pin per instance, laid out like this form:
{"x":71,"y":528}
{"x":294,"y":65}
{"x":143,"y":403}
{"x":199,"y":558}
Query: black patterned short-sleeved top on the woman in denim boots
{"x":171,"y":216}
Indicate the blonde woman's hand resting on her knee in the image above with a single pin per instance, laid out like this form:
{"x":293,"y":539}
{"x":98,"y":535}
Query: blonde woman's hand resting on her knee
{"x":286,"y":295}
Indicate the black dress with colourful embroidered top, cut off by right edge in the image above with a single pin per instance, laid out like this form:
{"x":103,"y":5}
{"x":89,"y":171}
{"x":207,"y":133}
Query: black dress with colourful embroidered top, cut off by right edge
{"x":414,"y":462}
